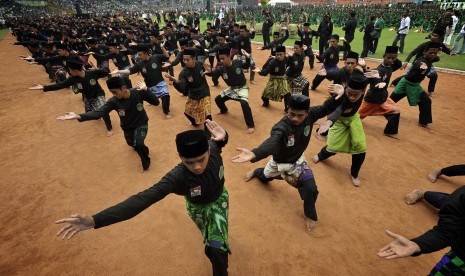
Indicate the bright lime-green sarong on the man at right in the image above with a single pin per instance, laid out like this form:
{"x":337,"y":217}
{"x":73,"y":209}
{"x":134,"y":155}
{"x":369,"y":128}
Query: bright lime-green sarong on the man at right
{"x":347,"y":136}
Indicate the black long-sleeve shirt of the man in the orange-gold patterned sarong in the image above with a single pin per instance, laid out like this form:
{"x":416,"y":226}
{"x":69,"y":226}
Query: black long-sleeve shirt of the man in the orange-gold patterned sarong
{"x":192,"y":82}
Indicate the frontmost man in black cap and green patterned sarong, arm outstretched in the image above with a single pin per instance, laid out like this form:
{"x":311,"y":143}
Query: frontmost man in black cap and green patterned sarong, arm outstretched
{"x":199,"y":178}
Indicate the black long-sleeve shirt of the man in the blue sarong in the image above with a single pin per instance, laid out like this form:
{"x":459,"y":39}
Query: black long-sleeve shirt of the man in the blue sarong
{"x":150,"y":69}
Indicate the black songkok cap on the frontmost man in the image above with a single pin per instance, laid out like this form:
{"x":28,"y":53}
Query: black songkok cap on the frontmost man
{"x":191,"y":143}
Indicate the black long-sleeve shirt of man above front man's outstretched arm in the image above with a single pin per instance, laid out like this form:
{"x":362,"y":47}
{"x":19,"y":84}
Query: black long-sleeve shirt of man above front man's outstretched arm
{"x":130,"y":111}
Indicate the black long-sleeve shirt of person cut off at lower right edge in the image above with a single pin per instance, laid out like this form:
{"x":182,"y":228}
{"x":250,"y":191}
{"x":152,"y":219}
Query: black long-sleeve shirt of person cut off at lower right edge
{"x":450,"y":230}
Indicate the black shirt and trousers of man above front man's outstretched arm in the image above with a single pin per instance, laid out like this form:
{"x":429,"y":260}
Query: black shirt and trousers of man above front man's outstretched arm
{"x":133,"y":119}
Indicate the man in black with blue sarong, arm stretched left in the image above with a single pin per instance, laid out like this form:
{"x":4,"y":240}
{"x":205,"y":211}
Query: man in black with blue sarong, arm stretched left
{"x":150,"y":66}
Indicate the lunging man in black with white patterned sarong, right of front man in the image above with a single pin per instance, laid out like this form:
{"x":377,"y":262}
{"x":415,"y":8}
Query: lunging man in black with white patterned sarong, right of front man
{"x":287,"y":143}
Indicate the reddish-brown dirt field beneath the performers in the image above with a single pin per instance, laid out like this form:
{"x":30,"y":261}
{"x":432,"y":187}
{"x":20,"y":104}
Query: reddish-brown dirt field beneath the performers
{"x":52,"y":169}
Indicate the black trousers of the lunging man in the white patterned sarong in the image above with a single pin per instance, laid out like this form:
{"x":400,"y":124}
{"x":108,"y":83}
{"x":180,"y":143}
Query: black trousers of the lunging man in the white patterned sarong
{"x":307,"y":188}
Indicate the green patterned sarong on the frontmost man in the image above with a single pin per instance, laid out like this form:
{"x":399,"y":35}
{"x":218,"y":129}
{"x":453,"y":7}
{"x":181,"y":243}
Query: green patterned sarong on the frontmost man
{"x":212,"y":220}
